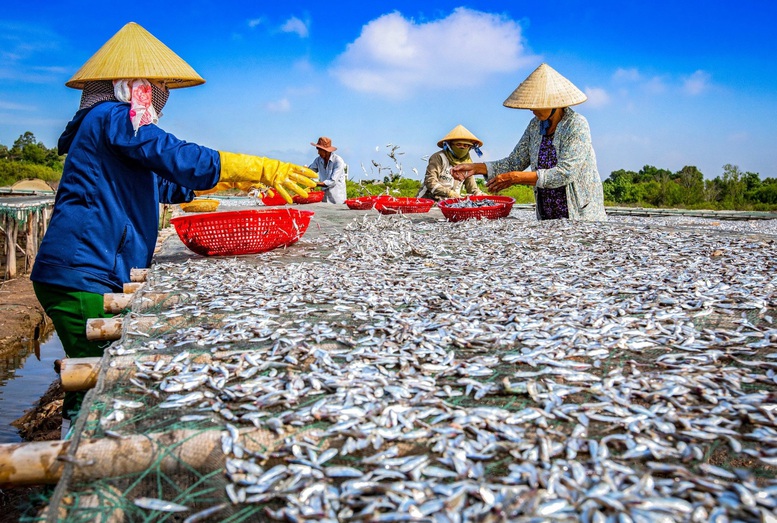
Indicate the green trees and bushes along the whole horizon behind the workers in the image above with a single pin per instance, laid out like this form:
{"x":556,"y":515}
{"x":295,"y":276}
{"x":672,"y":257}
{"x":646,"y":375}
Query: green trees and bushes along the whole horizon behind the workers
{"x":650,"y":187}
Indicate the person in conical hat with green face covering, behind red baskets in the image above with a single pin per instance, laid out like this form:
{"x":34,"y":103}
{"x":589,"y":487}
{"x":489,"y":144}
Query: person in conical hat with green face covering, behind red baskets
{"x":438,"y":182}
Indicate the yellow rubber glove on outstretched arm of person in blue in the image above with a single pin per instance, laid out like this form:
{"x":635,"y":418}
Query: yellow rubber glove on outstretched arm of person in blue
{"x":244,"y":170}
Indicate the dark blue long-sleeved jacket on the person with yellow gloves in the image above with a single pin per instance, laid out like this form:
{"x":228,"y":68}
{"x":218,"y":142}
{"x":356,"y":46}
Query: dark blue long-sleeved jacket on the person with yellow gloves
{"x":106,"y":213}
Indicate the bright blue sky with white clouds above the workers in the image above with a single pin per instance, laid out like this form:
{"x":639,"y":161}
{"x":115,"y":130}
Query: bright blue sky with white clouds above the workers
{"x":669,"y":83}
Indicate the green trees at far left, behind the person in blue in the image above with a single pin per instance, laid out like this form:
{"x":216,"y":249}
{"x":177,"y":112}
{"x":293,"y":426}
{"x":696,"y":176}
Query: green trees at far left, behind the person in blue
{"x":29,"y":158}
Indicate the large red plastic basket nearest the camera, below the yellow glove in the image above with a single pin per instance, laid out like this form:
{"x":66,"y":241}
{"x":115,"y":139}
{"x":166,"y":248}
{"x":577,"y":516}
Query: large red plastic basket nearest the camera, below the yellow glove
{"x":241,"y":232}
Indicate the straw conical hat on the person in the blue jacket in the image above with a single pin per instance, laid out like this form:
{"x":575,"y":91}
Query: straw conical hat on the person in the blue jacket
{"x":133,"y":52}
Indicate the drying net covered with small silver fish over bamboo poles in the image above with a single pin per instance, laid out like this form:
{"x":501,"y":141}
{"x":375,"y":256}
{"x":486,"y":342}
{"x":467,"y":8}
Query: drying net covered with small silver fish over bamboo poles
{"x":412,"y":369}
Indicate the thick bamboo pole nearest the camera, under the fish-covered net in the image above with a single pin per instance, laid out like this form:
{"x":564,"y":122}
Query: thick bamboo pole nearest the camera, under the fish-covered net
{"x":37,"y":463}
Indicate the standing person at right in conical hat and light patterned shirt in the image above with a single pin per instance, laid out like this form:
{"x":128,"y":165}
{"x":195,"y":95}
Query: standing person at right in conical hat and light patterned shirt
{"x":557,"y":143}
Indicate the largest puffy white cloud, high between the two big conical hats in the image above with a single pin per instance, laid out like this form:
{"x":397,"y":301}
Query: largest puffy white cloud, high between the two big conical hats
{"x":394,"y":56}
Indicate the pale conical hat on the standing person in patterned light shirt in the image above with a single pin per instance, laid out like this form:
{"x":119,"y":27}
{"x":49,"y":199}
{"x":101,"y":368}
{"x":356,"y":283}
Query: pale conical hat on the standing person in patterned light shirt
{"x":545,"y":88}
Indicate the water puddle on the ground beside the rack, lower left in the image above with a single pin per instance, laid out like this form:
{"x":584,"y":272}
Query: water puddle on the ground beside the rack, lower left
{"x":26,"y":372}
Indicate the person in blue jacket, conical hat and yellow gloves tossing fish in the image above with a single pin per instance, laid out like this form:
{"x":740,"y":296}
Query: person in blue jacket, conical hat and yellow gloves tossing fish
{"x":120,"y":166}
